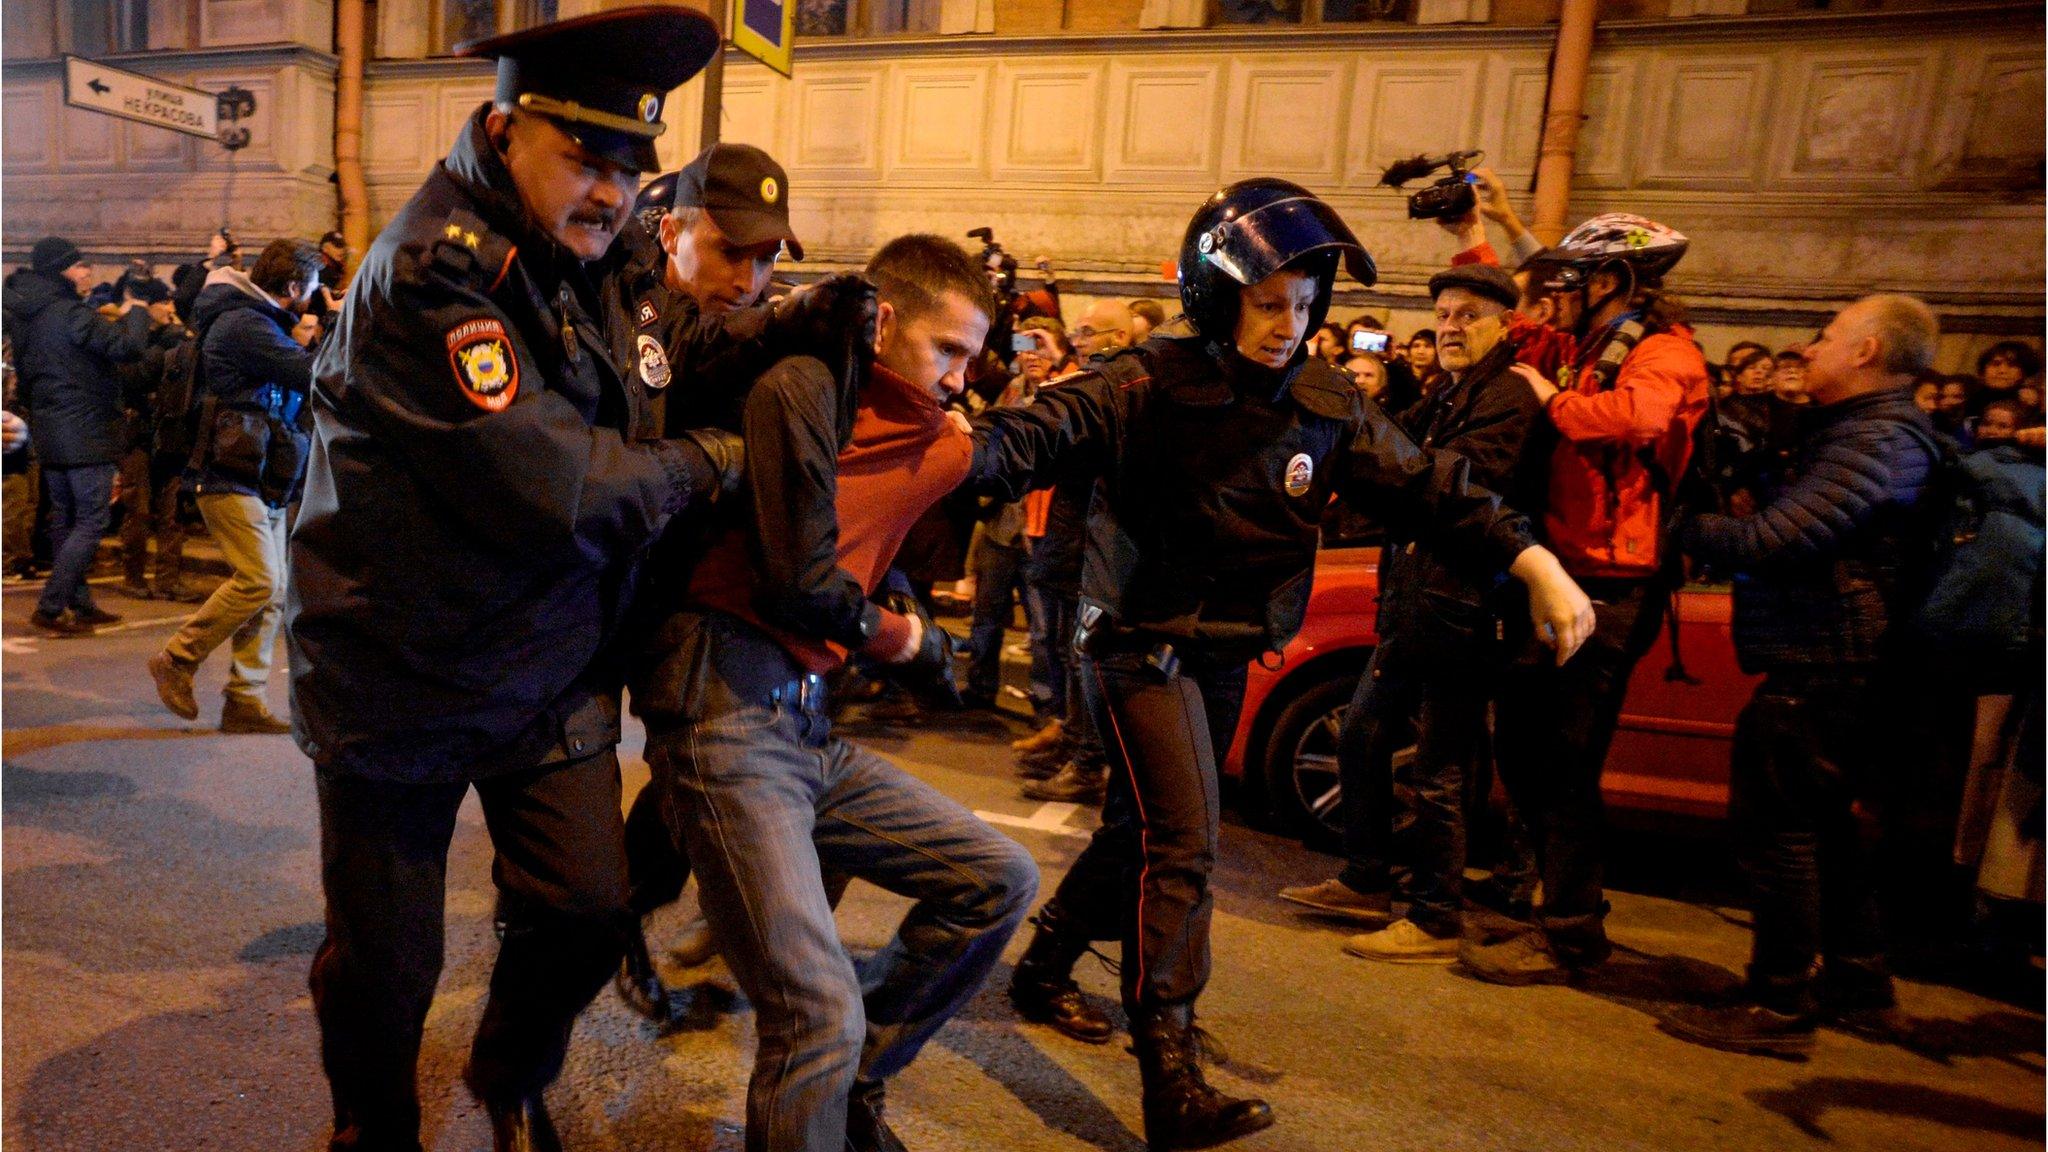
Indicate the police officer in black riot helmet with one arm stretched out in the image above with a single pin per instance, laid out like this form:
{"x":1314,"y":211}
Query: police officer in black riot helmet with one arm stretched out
{"x":1218,"y":454}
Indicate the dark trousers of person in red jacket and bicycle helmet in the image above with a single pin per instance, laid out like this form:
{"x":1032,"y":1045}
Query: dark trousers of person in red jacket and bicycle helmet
{"x":1555,"y":727}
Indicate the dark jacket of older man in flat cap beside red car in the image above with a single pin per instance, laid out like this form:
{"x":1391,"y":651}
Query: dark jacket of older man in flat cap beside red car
{"x":1494,"y":421}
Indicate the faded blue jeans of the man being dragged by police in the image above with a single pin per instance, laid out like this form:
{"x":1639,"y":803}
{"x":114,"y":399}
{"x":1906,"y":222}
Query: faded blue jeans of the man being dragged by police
{"x":767,"y":803}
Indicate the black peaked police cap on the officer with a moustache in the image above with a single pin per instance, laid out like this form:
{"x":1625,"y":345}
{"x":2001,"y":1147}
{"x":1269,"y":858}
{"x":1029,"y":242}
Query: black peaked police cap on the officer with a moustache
{"x":603,"y":79}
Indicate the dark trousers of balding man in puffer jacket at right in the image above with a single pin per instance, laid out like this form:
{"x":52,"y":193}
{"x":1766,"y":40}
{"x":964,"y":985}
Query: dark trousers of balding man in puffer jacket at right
{"x":1807,"y":749}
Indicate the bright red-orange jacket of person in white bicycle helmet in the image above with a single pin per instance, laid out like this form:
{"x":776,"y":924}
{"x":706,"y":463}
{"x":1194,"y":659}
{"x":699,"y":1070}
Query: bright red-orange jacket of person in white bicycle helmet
{"x":1607,"y":499}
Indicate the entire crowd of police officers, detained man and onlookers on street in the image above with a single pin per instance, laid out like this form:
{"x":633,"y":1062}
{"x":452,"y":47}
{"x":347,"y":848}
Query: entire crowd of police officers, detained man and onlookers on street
{"x":566,"y":446}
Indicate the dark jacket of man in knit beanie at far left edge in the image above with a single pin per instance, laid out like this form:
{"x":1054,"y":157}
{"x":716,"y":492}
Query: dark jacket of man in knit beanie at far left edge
{"x":67,"y":356}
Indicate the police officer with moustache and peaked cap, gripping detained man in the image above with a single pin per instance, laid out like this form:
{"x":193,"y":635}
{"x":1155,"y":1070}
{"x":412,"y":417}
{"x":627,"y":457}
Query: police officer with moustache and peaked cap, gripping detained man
{"x":486,"y":477}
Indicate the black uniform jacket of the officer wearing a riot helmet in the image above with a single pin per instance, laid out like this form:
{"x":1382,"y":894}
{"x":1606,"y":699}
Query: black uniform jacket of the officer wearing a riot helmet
{"x":1213,"y":481}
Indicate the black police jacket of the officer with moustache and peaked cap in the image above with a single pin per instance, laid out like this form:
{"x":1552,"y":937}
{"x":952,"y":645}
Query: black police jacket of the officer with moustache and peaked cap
{"x":480,"y":489}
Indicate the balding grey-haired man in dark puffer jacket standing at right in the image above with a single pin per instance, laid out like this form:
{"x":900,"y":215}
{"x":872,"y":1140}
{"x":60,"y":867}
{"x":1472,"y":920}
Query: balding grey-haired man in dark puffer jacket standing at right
{"x":1820,"y":575}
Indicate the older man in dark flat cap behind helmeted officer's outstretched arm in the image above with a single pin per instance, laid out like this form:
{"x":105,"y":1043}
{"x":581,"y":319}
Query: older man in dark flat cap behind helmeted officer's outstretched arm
{"x":1445,"y":636}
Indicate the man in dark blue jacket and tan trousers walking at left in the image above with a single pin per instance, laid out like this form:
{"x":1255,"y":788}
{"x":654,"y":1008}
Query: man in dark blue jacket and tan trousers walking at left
{"x":253,"y":421}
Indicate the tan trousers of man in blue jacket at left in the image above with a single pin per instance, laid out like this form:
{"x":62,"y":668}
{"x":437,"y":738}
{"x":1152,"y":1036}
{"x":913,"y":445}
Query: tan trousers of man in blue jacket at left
{"x":251,"y":604}
